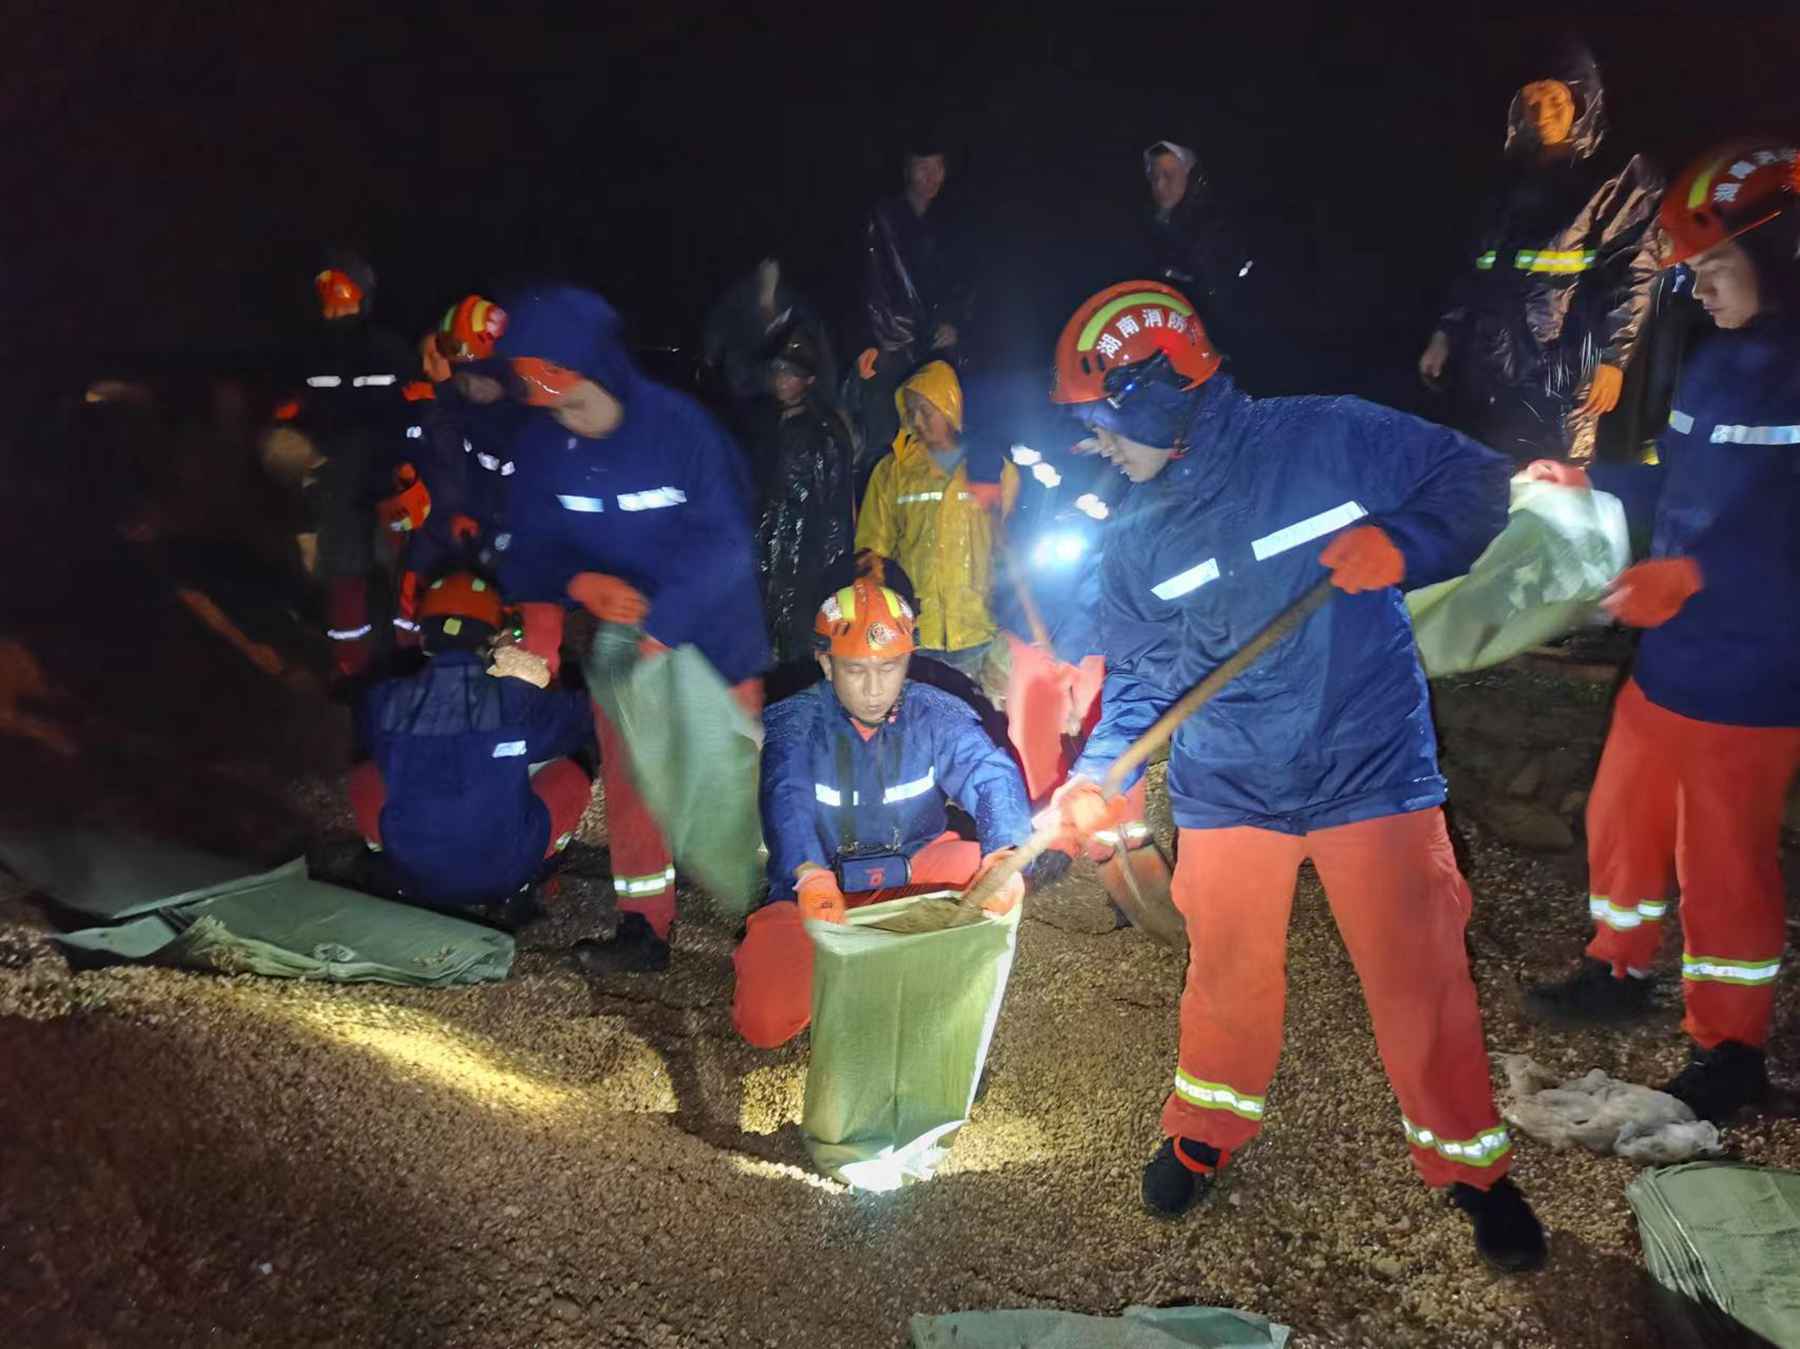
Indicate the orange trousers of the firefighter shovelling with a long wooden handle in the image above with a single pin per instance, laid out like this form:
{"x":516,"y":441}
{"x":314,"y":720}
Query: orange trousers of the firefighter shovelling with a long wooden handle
{"x":1401,"y":907}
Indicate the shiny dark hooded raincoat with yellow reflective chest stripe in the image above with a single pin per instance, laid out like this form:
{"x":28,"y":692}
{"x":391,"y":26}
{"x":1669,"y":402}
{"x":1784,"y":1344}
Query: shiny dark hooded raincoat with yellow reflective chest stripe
{"x":1560,"y":280}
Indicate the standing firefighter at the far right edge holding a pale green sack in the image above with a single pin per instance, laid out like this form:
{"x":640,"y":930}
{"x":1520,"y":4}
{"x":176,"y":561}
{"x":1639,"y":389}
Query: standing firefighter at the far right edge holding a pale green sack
{"x":1705,"y":738}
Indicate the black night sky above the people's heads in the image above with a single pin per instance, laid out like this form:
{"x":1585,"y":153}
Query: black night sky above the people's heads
{"x":177,"y":168}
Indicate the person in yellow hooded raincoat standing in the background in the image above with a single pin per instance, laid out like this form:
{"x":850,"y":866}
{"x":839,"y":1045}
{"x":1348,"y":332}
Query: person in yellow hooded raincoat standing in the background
{"x":924,"y":514}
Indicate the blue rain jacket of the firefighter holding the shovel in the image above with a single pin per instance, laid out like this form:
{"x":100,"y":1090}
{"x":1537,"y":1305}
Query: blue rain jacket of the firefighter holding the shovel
{"x":1335,"y":725}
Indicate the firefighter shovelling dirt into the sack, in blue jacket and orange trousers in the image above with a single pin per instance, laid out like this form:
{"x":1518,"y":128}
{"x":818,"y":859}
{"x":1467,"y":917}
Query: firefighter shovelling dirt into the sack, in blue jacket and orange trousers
{"x":1324,"y":750}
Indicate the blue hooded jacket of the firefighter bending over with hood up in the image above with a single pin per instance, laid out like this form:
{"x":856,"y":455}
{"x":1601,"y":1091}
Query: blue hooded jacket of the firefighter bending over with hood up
{"x":663,"y":503}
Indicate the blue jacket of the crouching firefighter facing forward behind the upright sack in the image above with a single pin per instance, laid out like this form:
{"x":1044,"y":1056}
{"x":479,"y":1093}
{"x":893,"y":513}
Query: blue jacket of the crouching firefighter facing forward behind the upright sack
{"x":825,"y":784}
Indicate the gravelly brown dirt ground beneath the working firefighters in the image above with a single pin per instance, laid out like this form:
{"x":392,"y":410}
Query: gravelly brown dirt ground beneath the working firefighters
{"x":190,"y":1159}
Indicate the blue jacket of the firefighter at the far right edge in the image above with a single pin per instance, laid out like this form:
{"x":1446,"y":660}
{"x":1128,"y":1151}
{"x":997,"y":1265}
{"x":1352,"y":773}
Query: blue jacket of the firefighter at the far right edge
{"x":1727,"y":493}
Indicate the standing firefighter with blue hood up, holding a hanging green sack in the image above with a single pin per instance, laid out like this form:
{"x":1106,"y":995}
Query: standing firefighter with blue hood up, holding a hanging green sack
{"x":633,"y":489}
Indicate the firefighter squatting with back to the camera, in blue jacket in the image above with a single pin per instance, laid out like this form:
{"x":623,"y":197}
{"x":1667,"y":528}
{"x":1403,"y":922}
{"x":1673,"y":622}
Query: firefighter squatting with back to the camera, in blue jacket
{"x":471,"y":786}
